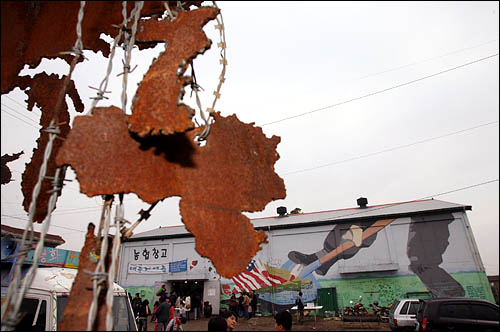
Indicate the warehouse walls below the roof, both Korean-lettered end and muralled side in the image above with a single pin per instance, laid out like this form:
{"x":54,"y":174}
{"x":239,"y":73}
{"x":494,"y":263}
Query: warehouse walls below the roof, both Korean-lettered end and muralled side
{"x":419,"y":256}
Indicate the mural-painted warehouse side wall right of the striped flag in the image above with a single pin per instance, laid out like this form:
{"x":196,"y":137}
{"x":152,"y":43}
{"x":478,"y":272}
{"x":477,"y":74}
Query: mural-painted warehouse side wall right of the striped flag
{"x":434,"y":255}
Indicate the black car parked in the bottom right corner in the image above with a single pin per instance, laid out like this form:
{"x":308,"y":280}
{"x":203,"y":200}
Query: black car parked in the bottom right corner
{"x":459,"y":314}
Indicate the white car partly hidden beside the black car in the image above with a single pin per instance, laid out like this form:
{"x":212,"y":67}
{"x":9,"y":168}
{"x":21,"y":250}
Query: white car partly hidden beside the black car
{"x":403,"y":315}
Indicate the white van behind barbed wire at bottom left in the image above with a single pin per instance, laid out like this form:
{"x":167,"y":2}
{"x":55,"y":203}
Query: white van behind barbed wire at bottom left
{"x":43,"y":305}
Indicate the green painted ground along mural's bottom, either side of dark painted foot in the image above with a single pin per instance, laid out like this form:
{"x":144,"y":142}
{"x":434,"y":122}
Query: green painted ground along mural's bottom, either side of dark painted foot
{"x":387,"y":289}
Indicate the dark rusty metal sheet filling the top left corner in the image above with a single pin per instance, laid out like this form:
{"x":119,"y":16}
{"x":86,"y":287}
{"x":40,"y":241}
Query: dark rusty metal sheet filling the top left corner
{"x":29,"y":31}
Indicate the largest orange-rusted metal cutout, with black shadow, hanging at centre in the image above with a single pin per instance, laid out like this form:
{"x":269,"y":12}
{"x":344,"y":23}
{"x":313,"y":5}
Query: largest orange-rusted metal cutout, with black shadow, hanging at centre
{"x":234,"y":172}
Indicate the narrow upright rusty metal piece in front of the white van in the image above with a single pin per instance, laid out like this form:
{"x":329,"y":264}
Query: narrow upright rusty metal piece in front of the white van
{"x":79,"y":300}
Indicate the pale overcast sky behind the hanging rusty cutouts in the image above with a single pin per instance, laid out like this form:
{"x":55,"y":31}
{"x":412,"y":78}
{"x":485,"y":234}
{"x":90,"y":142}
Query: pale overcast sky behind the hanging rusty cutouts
{"x":393,"y":101}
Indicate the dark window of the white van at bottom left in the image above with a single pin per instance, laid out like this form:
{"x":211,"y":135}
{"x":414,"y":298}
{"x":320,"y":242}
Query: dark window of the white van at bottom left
{"x":28,"y":311}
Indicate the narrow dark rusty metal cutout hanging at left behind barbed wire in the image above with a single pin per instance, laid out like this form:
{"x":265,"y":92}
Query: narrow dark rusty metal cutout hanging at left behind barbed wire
{"x":44,"y":90}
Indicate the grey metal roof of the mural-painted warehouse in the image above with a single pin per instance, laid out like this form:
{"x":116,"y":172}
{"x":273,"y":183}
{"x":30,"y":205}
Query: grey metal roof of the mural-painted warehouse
{"x":303,"y":219}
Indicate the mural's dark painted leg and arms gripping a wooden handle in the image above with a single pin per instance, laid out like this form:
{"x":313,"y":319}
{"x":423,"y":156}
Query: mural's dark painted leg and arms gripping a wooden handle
{"x":345,"y":240}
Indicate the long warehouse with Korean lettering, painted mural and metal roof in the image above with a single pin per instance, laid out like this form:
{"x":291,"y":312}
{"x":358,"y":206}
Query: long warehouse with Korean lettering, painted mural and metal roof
{"x":412,"y":249}
